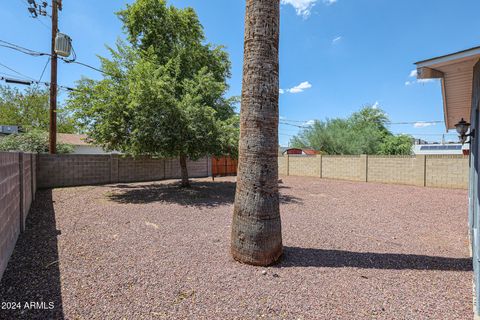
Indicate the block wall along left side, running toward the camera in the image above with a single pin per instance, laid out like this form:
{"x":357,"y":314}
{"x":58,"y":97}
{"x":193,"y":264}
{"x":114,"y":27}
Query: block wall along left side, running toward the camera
{"x":17,"y":191}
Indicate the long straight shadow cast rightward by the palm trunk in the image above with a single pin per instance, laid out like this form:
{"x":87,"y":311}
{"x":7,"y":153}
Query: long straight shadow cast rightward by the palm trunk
{"x":308,"y":257}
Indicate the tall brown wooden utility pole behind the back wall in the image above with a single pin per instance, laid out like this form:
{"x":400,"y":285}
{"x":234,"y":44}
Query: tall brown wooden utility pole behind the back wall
{"x":56,"y":5}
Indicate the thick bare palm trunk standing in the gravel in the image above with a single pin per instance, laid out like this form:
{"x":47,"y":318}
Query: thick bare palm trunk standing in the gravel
{"x":256,"y":227}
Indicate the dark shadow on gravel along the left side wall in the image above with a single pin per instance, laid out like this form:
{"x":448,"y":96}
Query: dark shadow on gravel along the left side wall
{"x":32,"y":275}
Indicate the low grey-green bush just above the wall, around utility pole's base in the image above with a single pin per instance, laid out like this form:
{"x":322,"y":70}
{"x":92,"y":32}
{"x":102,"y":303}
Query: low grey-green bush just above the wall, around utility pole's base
{"x":32,"y":141}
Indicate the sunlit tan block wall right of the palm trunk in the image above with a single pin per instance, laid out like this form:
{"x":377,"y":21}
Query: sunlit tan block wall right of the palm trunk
{"x":443,"y":171}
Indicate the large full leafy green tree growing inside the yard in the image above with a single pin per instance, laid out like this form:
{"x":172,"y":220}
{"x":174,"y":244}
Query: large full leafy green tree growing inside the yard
{"x":163,"y":93}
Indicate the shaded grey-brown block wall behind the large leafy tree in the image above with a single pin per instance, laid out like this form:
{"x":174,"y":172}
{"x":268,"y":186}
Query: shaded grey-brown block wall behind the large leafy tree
{"x":76,"y":170}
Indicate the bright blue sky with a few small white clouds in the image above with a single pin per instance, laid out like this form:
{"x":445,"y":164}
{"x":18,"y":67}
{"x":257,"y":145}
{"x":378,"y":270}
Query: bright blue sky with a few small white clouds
{"x":335,"y":55}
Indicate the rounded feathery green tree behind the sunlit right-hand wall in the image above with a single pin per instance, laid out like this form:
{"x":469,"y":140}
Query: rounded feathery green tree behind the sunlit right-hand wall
{"x":362,"y":133}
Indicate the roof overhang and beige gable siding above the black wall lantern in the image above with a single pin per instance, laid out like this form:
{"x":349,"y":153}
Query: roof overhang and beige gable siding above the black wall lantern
{"x":456,"y":73}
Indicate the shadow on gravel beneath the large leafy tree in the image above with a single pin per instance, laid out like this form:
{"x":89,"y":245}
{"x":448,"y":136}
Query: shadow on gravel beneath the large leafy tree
{"x":201,"y":194}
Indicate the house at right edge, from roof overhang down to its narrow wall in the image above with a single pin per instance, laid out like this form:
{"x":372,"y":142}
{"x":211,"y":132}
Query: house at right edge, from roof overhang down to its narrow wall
{"x":459,"y":74}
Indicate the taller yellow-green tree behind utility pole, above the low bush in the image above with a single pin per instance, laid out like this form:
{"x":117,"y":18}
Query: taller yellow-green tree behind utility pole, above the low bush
{"x":30,"y":110}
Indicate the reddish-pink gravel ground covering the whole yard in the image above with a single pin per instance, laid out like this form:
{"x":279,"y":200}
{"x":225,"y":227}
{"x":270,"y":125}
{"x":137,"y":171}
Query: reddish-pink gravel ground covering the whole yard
{"x":154,"y":251}
